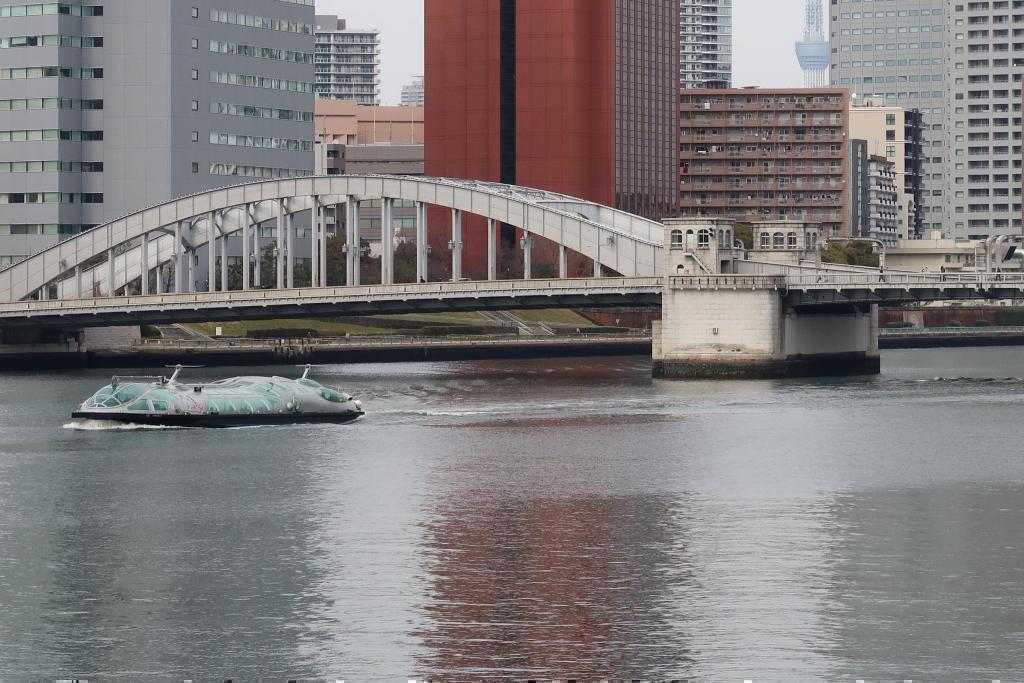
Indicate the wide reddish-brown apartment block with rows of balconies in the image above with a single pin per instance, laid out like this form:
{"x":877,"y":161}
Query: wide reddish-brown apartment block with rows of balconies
{"x":757,"y":155}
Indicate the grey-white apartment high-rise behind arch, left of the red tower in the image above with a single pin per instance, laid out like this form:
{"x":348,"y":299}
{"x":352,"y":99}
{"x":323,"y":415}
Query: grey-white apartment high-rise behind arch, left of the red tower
{"x":349,"y":62}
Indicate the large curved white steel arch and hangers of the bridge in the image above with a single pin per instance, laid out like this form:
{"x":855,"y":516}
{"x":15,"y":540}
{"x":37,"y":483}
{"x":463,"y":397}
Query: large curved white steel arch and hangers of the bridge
{"x":181,"y":239}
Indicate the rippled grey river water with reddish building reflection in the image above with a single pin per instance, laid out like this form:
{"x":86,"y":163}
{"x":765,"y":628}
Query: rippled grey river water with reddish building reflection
{"x":530,"y":520}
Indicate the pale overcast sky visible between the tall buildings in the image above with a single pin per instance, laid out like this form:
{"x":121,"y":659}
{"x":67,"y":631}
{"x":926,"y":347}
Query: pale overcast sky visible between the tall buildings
{"x":764,"y":32}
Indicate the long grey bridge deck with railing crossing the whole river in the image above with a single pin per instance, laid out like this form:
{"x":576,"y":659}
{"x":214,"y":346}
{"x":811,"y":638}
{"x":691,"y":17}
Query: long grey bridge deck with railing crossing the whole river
{"x":798,"y":291}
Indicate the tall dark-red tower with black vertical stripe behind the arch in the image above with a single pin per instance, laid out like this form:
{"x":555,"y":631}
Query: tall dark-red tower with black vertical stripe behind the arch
{"x":574,"y":97}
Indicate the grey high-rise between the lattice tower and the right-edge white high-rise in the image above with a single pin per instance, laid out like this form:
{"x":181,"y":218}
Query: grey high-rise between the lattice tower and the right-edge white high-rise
{"x":893,"y":53}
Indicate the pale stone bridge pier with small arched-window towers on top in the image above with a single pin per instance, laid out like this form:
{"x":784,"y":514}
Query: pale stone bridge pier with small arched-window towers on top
{"x":721,"y":320}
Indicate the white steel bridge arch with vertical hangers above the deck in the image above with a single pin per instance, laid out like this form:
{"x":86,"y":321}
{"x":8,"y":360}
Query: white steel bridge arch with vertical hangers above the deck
{"x":175,"y":232}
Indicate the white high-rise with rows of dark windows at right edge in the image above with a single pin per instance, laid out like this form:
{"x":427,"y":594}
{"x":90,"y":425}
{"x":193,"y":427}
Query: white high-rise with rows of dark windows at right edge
{"x":984,"y":191}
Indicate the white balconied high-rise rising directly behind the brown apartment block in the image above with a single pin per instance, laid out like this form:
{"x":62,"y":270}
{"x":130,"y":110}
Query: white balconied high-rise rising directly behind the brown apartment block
{"x":705,"y":42}
